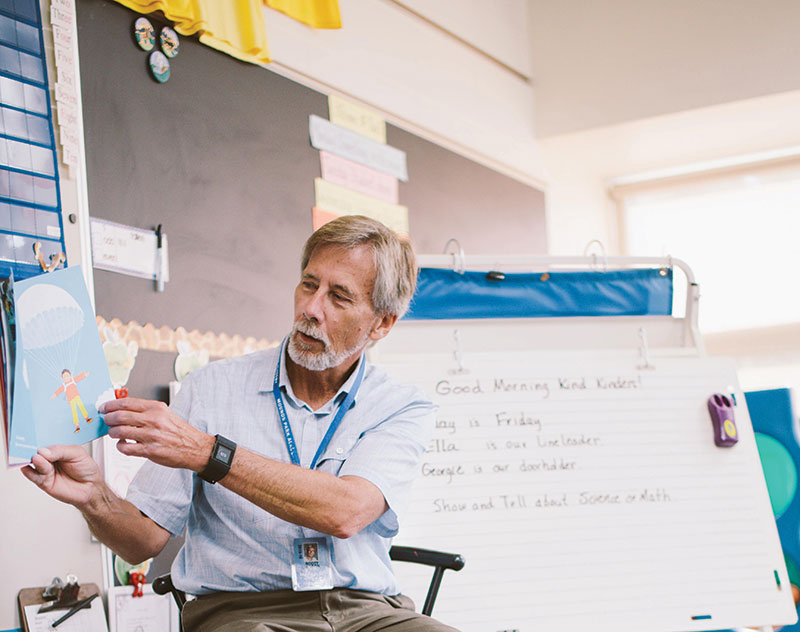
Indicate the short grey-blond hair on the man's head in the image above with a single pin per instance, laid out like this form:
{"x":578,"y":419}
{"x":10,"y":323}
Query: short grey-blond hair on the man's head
{"x":395,"y":263}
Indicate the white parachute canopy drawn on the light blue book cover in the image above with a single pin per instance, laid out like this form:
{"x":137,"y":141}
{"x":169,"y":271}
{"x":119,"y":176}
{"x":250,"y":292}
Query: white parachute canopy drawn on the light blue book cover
{"x":50,"y":323}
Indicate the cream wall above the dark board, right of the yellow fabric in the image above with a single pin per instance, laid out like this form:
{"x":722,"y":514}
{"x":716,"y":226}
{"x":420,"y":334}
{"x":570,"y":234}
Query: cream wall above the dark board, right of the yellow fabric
{"x":422,"y":78}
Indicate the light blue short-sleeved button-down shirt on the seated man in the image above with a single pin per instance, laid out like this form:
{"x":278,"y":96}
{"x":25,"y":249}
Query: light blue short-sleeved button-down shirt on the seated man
{"x":232,"y":544}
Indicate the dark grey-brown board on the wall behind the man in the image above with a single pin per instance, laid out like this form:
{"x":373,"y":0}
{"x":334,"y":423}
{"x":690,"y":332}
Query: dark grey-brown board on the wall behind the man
{"x":220,"y":156}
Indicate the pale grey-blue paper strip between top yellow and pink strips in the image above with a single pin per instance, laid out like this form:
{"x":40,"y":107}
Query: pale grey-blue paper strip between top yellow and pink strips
{"x":343,"y":142}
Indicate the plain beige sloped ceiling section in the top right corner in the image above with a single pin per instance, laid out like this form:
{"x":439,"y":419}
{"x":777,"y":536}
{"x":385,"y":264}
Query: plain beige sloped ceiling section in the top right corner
{"x":600,"y":62}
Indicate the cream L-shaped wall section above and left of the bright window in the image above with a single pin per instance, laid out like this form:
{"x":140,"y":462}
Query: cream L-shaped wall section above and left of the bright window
{"x":580,"y":166}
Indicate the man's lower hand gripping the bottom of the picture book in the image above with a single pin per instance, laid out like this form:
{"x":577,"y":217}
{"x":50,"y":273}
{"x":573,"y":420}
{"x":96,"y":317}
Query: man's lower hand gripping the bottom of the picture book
{"x":66,"y":472}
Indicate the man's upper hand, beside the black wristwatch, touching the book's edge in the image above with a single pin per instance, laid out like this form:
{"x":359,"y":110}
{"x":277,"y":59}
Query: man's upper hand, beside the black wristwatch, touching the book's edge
{"x":151,"y":430}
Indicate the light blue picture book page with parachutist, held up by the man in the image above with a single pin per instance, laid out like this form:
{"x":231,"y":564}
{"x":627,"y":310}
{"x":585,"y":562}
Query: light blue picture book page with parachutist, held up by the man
{"x":59,"y":365}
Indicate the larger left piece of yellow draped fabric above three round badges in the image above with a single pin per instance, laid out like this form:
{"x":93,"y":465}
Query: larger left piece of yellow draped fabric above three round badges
{"x":235,"y":27}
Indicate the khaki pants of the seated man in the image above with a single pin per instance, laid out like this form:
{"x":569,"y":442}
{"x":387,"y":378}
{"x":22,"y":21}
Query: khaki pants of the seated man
{"x":337,"y":610}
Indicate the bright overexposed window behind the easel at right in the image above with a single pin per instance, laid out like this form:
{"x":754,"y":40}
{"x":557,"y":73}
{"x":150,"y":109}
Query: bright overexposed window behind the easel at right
{"x":738,"y":232}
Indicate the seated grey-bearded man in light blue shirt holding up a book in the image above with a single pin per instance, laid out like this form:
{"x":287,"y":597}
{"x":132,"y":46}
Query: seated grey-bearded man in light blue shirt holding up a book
{"x":308,"y":444}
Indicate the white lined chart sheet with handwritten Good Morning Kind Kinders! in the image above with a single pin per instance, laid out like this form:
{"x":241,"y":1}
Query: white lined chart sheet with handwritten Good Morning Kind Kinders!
{"x":587,"y":493}
